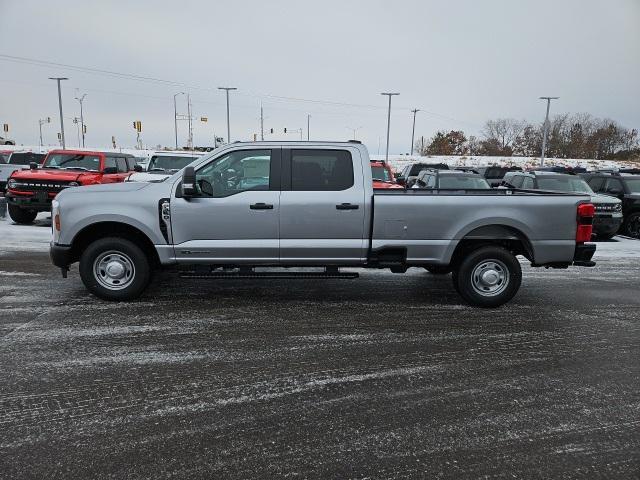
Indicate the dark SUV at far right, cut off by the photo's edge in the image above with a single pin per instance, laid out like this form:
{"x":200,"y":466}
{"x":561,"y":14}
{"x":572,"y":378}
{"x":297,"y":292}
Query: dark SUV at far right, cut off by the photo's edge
{"x":624,"y":187}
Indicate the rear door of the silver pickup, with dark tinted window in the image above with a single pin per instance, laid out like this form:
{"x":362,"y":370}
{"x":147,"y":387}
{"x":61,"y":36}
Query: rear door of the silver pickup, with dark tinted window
{"x":322,"y":207}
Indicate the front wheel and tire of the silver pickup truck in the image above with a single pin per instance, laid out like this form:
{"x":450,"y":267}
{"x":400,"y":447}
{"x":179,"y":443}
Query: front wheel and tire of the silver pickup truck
{"x":126,"y":258}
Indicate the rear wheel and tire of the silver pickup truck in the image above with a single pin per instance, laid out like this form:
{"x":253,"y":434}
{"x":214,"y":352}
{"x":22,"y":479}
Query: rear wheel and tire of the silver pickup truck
{"x":501,"y":267}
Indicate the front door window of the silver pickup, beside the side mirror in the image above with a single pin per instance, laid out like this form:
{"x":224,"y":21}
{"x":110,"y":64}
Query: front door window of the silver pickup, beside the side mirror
{"x":235,"y":172}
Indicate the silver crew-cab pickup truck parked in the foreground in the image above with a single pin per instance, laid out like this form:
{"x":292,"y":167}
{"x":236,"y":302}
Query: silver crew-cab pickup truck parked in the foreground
{"x":310,"y":204}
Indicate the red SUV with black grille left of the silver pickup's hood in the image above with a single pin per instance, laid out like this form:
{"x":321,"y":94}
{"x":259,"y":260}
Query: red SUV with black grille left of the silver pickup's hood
{"x":31,"y":191}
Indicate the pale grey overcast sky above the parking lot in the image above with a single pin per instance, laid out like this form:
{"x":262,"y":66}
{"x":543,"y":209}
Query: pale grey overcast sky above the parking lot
{"x":460,"y":62}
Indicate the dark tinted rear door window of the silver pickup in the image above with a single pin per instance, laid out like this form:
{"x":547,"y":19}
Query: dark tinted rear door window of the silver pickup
{"x":321,"y":170}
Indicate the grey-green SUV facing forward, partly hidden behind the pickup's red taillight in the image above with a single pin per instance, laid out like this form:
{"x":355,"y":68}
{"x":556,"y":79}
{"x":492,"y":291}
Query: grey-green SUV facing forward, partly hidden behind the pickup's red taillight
{"x":608,"y":210}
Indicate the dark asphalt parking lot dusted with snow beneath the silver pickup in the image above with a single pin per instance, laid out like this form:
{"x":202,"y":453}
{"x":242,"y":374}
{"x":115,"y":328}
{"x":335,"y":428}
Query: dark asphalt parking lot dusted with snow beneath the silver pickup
{"x":388,"y":376}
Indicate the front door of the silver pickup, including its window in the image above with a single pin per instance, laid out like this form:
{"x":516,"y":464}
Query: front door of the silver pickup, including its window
{"x":234,"y":217}
